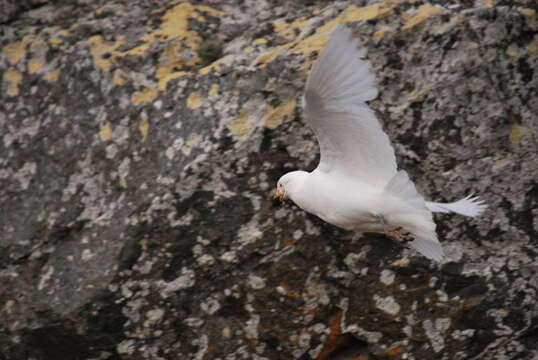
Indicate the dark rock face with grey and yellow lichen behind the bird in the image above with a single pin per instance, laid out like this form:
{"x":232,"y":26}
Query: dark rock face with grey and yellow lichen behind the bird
{"x":141,"y":142}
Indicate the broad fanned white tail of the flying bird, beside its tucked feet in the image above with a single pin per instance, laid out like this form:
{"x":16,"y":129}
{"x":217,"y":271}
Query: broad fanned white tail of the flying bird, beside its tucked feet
{"x":416,"y":217}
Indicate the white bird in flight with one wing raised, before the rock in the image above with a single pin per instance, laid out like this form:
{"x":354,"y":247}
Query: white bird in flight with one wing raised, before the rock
{"x":356,"y":185}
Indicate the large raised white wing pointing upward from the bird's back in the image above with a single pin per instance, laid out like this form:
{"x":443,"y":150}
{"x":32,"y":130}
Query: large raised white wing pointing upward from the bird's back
{"x":352,"y":142}
